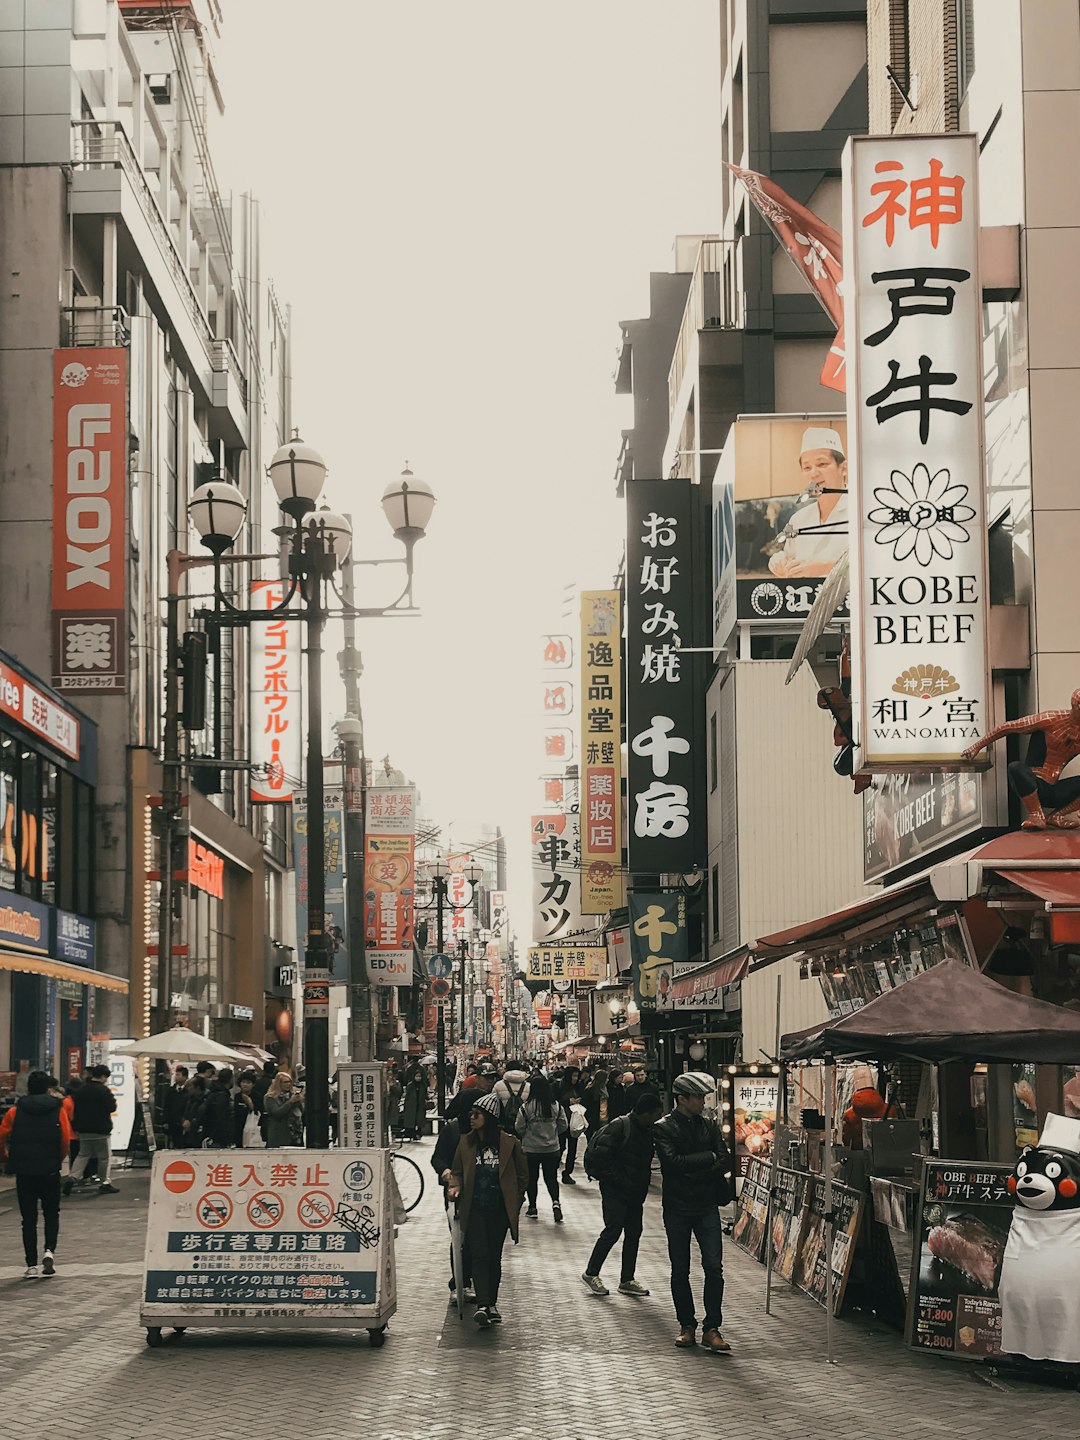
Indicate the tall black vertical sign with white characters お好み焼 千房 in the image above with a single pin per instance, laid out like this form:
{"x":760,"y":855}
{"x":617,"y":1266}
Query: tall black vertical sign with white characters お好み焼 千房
{"x":662,"y":739}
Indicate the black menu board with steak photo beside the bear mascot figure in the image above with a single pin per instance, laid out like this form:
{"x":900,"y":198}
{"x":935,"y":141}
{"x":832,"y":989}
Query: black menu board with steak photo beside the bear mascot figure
{"x":964,"y":1220}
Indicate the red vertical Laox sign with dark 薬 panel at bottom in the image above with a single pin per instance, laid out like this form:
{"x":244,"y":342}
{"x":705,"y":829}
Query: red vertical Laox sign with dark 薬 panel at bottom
{"x":90,"y":521}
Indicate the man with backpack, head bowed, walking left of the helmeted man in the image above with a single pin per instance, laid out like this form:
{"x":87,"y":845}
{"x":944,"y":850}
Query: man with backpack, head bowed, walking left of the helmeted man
{"x":621,"y":1158}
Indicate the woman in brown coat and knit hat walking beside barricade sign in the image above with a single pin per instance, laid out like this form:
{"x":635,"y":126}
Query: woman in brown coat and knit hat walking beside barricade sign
{"x":489,"y":1180}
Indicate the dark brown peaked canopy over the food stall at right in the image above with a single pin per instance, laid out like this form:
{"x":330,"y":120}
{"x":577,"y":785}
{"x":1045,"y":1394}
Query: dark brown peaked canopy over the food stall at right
{"x":948,"y":1013}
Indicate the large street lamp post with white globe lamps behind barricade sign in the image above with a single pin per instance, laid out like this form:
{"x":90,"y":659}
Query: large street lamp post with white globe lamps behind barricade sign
{"x":319,"y":545}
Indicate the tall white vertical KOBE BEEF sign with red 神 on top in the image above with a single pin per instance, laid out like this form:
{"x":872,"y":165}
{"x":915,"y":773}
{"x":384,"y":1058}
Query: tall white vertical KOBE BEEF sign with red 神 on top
{"x":915,"y":427}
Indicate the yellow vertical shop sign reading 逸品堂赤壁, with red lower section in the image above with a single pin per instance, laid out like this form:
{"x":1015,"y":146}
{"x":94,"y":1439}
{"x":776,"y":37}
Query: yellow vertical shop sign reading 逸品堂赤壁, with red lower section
{"x":601,"y":762}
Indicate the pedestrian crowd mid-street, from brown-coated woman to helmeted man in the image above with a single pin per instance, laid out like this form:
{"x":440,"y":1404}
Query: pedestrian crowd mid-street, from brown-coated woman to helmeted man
{"x":503,"y":1134}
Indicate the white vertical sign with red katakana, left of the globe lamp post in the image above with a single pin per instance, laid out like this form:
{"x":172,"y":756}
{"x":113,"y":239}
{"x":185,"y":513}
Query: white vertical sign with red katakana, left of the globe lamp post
{"x":276,"y":701}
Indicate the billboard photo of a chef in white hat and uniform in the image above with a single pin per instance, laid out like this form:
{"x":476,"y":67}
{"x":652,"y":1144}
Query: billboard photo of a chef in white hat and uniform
{"x":791,"y":510}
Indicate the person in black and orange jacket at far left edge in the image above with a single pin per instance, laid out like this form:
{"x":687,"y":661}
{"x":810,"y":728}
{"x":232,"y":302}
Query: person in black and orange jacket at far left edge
{"x":35,"y":1137}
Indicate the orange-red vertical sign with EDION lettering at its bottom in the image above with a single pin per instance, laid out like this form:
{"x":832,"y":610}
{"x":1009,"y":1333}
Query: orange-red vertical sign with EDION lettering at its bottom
{"x":390,"y":883}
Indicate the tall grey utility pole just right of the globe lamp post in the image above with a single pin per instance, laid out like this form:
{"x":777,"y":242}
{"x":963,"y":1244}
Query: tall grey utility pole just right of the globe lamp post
{"x":352,"y":737}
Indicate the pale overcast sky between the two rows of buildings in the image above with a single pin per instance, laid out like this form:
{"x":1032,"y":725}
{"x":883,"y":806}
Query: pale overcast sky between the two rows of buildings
{"x":462,"y":201}
